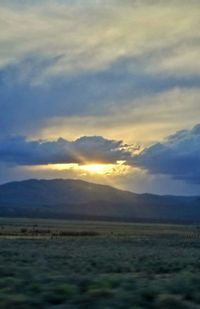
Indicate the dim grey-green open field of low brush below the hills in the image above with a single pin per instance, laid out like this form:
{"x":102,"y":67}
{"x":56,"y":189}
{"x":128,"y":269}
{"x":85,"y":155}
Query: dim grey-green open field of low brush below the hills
{"x":68,"y":264}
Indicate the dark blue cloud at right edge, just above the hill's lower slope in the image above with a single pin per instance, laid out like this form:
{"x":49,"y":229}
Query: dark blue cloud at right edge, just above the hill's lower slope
{"x":178,"y":156}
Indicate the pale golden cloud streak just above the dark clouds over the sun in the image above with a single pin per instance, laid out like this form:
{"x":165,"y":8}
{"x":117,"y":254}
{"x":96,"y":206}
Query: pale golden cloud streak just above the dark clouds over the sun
{"x":159,"y":114}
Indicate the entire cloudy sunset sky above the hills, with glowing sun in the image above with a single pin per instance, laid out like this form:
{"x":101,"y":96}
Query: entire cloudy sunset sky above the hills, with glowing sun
{"x":104,"y":91}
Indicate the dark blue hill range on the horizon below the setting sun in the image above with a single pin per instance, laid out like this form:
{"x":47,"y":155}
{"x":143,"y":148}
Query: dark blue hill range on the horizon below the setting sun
{"x":60,"y":198}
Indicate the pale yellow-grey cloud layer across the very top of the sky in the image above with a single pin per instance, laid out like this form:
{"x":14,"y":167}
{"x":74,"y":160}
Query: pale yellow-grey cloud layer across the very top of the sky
{"x":75,"y":38}
